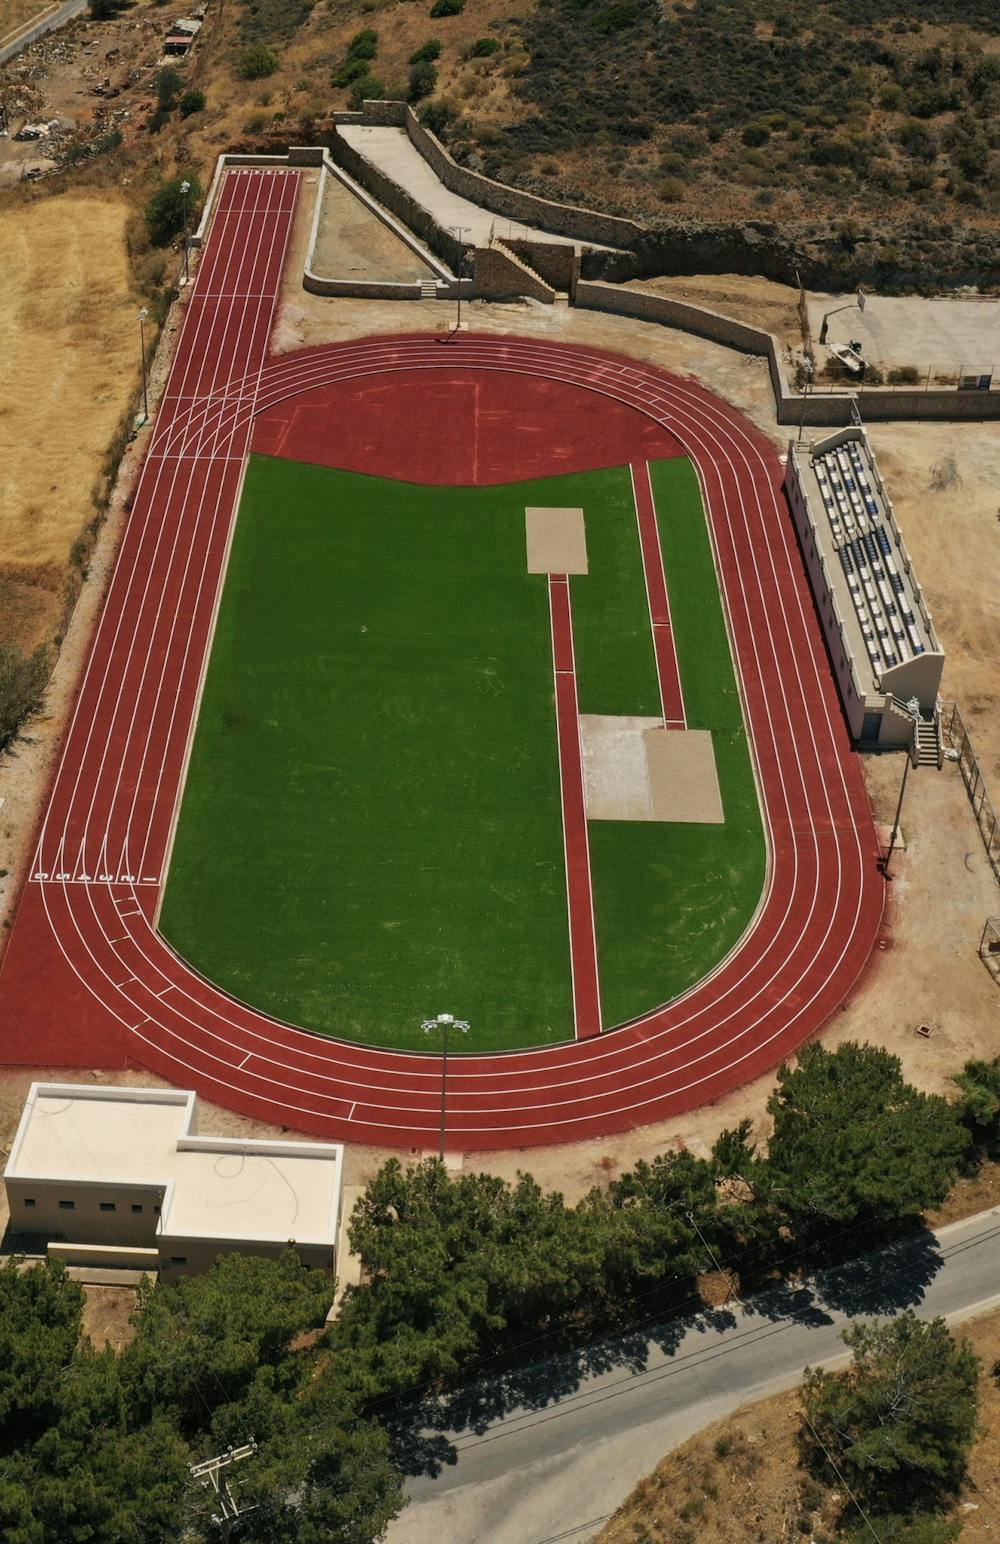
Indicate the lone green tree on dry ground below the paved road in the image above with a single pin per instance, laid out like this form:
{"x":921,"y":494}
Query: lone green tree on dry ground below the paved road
{"x":899,"y":1424}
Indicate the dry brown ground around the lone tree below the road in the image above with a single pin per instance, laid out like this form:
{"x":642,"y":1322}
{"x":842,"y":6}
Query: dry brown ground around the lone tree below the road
{"x":740,"y":1480}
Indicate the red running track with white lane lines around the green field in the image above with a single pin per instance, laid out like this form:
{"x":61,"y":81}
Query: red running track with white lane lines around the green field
{"x":87,"y":980}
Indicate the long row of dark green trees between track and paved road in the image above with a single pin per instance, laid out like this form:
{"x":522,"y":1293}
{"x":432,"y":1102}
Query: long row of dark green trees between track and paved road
{"x":461,"y":1276}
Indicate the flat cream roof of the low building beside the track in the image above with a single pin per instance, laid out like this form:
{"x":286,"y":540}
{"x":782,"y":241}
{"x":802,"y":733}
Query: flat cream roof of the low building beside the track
{"x":214,"y":1187}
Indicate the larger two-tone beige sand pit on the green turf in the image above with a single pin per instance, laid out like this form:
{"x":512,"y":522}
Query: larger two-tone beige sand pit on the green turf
{"x":635,"y":770}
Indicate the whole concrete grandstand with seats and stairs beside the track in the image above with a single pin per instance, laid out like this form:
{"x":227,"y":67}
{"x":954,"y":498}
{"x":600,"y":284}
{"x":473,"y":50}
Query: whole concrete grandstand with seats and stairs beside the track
{"x":887,"y":655}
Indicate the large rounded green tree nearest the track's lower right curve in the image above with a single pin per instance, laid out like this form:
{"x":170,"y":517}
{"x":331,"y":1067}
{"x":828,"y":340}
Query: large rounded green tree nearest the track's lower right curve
{"x":854,"y":1142}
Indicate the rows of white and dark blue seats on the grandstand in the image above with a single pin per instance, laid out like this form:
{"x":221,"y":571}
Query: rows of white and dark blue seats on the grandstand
{"x":867,"y":555}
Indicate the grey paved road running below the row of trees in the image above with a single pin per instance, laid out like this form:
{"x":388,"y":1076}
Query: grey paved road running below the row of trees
{"x":550,"y":1457}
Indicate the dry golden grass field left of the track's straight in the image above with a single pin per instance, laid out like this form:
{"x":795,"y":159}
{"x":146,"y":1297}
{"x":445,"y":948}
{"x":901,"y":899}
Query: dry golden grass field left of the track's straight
{"x":70,"y":344}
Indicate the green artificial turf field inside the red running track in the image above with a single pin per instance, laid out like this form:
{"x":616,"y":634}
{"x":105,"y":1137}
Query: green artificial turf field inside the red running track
{"x":371,"y":828}
